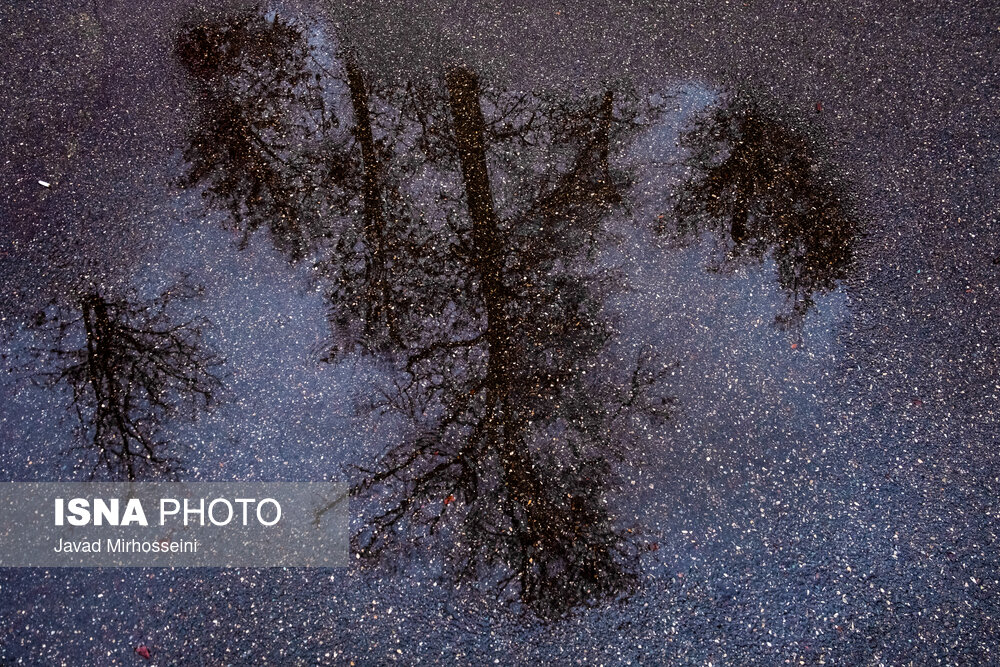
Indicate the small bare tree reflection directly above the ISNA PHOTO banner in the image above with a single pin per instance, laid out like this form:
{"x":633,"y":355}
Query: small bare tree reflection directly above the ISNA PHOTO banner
{"x":130,"y":367}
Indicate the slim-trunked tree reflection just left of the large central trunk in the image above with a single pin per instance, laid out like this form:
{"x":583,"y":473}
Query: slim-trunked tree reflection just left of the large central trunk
{"x":373,"y":301}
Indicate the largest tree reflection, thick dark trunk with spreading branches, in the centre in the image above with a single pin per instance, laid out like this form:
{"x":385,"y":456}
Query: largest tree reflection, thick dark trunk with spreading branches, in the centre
{"x":517,"y":424}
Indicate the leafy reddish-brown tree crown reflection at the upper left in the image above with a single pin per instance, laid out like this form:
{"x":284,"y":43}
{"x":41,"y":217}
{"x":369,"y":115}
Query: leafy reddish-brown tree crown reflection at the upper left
{"x":265,"y":145}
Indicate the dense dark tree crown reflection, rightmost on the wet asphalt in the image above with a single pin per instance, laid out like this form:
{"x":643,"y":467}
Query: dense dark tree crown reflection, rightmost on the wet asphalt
{"x":758,"y":187}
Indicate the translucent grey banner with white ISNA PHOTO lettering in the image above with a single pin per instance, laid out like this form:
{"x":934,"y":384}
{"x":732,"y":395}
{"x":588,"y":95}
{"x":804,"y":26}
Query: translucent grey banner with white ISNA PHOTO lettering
{"x":280,"y":524}
